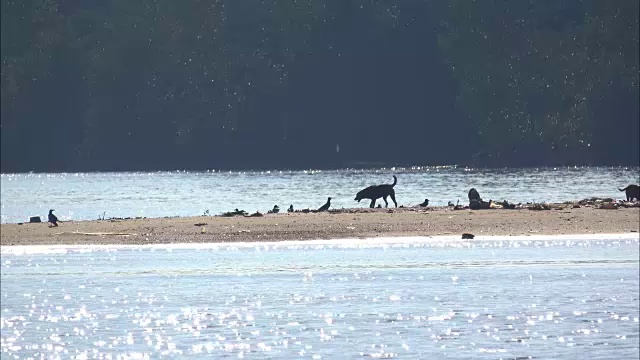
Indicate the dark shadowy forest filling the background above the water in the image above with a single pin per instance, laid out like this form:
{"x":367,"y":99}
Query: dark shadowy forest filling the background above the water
{"x":162,"y":84}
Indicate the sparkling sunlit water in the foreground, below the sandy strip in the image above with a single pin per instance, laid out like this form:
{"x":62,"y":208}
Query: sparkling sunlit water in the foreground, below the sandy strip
{"x":540,"y":298}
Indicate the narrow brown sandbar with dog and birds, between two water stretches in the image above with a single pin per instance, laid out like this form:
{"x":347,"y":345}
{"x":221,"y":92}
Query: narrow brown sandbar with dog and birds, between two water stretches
{"x":340,"y":224}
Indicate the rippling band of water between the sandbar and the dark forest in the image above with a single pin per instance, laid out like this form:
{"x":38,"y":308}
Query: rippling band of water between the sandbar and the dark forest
{"x":85,"y":196}
